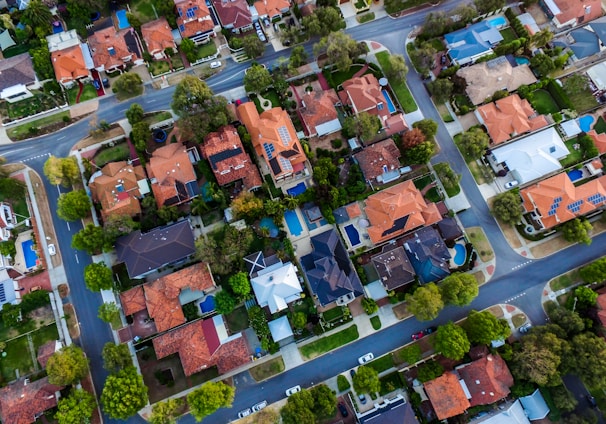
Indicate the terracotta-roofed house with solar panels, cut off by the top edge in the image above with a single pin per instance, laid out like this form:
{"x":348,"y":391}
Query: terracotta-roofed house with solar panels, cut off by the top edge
{"x":194,"y":20}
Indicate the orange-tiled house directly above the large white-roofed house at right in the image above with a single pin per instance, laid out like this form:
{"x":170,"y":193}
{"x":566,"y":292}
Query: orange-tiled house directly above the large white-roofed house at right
{"x":509,"y":118}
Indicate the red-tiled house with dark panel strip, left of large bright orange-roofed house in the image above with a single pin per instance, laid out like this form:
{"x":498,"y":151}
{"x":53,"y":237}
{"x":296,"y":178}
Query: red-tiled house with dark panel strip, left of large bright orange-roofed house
{"x":228,"y":159}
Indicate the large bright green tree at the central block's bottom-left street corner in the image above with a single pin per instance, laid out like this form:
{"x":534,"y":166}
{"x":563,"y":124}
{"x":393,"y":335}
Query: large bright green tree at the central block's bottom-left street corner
{"x":124,"y":393}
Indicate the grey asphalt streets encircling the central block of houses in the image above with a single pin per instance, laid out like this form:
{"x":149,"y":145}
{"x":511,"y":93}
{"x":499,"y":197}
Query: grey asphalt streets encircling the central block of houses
{"x":524,"y":283}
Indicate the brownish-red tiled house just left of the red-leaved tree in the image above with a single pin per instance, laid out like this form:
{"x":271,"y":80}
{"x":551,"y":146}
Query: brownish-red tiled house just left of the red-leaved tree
{"x":380,"y":162}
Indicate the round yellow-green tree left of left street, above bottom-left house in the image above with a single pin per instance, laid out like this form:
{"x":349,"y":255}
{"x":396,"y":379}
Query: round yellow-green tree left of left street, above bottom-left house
{"x":67,"y":366}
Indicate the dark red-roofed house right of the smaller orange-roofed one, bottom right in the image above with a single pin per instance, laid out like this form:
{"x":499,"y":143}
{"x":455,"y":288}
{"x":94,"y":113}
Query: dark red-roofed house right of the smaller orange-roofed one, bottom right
{"x":488,"y":380}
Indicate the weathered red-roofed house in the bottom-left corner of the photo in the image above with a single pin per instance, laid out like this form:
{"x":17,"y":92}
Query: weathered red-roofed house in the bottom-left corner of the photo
{"x":24,"y":401}
